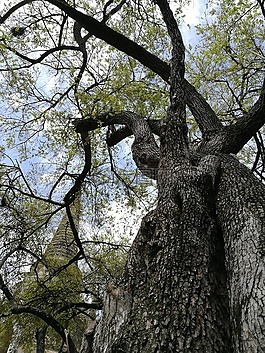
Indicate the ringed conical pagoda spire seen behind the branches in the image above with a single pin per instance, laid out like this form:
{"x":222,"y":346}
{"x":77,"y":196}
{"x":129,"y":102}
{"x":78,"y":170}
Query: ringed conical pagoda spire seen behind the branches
{"x":63,"y":286}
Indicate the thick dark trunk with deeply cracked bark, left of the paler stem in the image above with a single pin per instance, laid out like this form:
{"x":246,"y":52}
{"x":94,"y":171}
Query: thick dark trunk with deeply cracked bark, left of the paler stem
{"x":174,"y":297}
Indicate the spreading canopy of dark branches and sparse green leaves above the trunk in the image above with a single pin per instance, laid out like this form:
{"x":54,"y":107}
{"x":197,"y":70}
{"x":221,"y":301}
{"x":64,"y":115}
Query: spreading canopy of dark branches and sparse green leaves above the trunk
{"x":90,"y":93}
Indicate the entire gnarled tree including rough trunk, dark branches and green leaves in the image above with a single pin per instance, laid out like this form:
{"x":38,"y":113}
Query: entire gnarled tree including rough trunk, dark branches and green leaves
{"x":194,"y":276}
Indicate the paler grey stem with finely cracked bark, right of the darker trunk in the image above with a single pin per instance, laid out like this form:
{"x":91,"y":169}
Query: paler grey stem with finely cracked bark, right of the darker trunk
{"x":241,"y":213}
